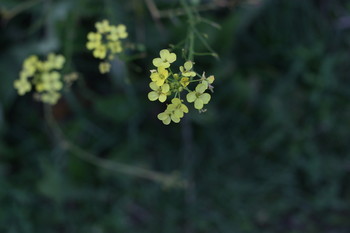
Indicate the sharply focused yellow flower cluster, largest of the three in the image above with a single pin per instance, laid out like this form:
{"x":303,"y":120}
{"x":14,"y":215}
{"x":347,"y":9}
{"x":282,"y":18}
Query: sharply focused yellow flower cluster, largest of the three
{"x":165,"y":82}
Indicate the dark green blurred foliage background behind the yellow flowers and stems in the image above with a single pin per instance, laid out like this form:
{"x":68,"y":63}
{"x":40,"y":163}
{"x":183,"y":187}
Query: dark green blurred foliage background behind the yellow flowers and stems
{"x":271,"y":154}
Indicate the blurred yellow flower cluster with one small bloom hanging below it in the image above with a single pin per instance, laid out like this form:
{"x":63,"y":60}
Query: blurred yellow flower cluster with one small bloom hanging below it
{"x":105,"y":43}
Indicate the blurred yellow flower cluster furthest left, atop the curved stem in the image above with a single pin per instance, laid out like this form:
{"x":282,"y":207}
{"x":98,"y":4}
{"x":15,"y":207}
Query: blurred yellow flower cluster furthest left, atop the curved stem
{"x":43,"y":76}
